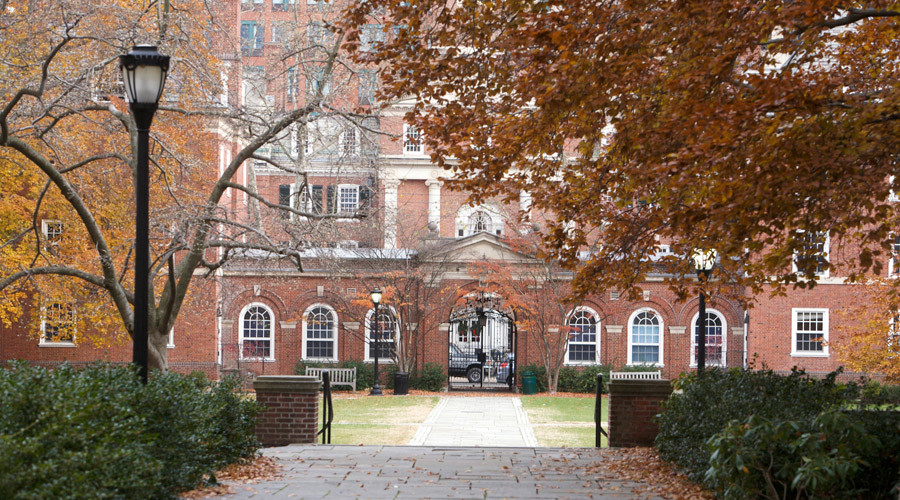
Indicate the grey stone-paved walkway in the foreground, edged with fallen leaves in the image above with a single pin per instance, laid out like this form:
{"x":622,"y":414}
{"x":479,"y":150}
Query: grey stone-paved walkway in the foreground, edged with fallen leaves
{"x":331,"y":471}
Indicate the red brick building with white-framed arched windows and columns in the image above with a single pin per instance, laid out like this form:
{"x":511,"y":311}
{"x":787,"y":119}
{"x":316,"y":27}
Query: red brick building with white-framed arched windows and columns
{"x":260,"y":314}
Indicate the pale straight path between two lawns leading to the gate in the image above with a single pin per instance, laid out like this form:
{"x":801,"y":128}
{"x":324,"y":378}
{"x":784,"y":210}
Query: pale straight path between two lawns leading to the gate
{"x":482,"y":421}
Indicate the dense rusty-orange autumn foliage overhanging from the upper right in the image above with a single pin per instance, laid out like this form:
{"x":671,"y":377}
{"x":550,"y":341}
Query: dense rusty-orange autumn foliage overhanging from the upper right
{"x":736,"y":125}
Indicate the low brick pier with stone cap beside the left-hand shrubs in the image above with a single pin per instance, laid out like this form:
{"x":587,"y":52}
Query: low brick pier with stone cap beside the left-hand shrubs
{"x":292,"y":409}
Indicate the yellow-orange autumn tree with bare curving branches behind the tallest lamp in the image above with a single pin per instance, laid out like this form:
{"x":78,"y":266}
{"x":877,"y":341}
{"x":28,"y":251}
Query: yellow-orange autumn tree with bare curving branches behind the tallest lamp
{"x":67,"y":149}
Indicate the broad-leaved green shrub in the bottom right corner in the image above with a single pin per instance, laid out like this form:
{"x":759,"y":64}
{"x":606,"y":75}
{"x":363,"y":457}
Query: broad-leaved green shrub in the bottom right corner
{"x":834,"y":455}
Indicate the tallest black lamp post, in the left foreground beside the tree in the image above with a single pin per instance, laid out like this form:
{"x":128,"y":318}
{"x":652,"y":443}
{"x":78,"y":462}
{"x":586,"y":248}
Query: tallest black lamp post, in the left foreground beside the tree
{"x":144,"y":70}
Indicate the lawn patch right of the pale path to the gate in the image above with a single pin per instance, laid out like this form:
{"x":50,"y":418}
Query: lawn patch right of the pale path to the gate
{"x":565,"y":422}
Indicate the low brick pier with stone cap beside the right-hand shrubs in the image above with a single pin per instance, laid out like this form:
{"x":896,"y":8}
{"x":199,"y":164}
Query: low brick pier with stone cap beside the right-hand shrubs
{"x":632,"y":405}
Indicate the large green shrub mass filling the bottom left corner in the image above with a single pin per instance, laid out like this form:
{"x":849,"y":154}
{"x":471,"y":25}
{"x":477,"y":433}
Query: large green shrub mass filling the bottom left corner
{"x":98,"y":433}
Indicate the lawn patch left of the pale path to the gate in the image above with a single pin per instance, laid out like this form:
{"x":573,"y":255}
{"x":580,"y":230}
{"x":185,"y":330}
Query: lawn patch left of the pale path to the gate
{"x":364,"y":419}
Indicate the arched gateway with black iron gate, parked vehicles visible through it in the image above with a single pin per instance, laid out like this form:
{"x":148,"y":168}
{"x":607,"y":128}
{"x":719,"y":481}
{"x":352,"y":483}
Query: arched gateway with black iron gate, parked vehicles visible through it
{"x":482,"y":344}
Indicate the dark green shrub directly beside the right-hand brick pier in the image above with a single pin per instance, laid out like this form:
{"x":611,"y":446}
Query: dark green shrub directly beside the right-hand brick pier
{"x":709,"y":403}
